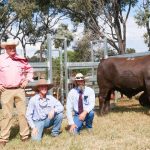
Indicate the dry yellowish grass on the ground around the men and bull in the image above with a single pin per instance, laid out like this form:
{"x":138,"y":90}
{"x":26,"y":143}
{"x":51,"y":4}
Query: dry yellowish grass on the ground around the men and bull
{"x":126,"y":127}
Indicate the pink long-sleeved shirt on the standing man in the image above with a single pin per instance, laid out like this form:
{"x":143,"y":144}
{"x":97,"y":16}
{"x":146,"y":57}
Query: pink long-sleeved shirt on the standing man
{"x":14,"y":72}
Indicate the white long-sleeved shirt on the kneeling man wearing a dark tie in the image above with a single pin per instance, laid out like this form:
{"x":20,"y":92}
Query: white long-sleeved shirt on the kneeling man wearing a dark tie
{"x":88,"y":98}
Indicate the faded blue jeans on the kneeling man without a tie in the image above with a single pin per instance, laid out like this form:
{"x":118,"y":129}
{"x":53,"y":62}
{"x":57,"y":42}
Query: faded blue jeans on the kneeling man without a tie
{"x":55,"y":122}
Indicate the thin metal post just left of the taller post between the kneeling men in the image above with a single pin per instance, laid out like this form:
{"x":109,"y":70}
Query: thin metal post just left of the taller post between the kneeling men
{"x":61,"y":77}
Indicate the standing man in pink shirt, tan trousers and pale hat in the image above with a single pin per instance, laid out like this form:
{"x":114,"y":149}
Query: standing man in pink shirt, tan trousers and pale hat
{"x":15,"y":73}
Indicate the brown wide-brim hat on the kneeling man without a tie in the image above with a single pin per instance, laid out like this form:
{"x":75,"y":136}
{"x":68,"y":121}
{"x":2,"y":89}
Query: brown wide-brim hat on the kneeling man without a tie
{"x":42,"y":82}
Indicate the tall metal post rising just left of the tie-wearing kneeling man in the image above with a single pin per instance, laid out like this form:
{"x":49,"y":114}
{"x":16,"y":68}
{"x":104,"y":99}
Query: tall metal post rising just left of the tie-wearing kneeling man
{"x":66,"y":69}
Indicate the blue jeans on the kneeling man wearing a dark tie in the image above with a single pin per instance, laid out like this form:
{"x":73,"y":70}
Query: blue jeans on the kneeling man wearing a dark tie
{"x":88,"y":121}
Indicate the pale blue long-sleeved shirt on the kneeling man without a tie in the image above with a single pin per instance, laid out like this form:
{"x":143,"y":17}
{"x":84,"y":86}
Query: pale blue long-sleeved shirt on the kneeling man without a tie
{"x":38,"y":109}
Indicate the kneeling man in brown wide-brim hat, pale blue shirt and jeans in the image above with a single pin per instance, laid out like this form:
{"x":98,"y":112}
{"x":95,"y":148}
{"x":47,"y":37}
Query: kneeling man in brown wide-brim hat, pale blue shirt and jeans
{"x":44,"y":111}
